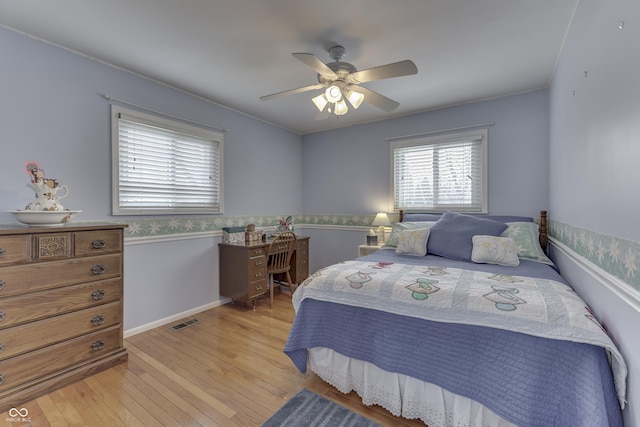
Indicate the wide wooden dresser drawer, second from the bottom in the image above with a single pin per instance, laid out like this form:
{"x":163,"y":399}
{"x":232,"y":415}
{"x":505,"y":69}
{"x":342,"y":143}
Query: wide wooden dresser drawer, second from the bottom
{"x":24,"y":338}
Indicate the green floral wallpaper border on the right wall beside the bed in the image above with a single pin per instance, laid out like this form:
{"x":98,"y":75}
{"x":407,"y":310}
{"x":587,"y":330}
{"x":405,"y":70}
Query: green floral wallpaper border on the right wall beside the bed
{"x":618,"y":257}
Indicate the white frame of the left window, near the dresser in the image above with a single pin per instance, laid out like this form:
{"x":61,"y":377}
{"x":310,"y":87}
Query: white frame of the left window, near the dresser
{"x":170,"y":125}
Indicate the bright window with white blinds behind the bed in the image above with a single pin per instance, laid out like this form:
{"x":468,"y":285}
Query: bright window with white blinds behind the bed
{"x":441,"y":173}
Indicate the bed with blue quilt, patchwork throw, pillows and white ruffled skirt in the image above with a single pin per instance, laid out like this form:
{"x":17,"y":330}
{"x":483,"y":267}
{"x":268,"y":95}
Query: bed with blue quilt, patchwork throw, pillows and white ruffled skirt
{"x":460,"y":320}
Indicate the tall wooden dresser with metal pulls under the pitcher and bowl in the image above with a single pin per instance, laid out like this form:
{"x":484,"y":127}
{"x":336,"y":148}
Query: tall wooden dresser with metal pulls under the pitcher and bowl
{"x":60,"y":307}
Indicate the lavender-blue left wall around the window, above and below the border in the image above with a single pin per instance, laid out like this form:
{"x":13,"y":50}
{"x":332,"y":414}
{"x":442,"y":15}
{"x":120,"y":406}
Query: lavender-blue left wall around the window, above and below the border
{"x":52,"y":110}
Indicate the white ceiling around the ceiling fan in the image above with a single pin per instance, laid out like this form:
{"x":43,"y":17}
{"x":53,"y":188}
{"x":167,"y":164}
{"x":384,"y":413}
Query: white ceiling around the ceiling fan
{"x":233,"y":52}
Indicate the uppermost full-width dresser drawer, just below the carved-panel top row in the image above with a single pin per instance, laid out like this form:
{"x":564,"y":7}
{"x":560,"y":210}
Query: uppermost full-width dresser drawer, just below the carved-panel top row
{"x":28,"y":278}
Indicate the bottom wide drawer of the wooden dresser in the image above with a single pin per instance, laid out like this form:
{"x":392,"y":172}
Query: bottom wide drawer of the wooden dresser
{"x":21,"y":369}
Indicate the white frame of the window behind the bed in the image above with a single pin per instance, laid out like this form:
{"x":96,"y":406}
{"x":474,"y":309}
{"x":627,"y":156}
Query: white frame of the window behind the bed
{"x":442,"y":140}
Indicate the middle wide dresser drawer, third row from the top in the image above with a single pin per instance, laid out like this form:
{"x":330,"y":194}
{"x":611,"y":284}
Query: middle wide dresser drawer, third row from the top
{"x":39,"y":305}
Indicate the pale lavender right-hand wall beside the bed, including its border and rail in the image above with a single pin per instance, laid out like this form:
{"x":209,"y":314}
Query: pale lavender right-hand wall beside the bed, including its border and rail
{"x":594,"y":173}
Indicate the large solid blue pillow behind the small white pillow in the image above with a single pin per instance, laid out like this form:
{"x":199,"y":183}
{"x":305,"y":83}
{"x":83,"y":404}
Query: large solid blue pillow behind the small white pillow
{"x":450,"y":237}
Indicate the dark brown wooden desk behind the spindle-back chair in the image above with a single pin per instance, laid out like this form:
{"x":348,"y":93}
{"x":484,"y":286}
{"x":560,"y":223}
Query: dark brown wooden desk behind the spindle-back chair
{"x":243,"y":268}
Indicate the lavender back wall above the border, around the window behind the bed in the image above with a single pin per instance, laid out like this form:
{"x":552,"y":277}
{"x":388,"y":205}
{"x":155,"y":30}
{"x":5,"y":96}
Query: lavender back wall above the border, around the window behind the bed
{"x":347,"y":170}
